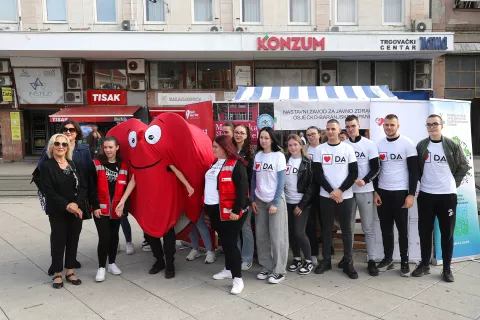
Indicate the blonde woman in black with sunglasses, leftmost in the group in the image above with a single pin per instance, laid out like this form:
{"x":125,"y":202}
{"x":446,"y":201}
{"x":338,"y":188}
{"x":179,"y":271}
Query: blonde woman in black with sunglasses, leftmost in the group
{"x":65,"y":193}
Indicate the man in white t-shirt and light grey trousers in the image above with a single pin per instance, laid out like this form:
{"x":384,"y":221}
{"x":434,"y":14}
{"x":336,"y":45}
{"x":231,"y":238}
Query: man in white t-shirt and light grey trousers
{"x":368,"y":169}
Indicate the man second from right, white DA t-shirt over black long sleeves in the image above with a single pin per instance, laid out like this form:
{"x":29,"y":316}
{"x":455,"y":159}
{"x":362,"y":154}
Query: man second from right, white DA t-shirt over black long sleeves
{"x":395,"y":191}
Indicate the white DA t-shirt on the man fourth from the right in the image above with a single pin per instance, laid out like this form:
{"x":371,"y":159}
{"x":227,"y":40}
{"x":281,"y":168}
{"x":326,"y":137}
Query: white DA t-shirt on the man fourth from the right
{"x":335,"y":161}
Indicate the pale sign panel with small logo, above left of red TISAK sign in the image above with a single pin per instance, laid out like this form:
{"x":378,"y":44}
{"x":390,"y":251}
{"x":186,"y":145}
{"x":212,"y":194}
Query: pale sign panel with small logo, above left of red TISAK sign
{"x":39,"y":85}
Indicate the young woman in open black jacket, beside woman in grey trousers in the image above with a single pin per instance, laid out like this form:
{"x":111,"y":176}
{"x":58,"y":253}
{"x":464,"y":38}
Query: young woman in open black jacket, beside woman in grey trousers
{"x":299,"y":189}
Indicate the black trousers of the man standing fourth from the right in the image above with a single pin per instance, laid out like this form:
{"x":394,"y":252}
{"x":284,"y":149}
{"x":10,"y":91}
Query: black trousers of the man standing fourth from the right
{"x":328,"y":209}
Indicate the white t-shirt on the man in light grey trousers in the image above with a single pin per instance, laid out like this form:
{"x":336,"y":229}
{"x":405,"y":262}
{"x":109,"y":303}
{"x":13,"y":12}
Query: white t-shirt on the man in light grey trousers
{"x":365,"y":150}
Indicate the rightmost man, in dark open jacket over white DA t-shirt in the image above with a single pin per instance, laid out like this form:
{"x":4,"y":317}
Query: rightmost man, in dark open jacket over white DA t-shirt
{"x":443,"y":166}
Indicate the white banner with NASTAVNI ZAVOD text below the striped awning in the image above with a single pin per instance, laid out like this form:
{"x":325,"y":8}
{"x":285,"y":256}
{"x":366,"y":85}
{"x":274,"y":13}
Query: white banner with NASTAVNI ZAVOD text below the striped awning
{"x":299,"y":115}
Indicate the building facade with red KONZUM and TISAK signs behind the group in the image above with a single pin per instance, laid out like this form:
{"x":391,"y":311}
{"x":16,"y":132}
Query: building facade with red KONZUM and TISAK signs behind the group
{"x":162,"y":54}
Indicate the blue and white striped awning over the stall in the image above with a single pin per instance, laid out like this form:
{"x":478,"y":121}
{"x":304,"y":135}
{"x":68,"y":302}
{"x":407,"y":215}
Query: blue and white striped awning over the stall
{"x":267,"y":94}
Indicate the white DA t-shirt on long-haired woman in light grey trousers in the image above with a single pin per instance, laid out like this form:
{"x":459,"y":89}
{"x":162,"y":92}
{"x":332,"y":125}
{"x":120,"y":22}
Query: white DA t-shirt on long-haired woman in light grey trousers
{"x":266,"y":166}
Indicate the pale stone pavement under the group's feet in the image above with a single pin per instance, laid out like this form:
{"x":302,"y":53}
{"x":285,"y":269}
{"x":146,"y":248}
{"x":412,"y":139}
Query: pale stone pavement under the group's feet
{"x":26,"y":292}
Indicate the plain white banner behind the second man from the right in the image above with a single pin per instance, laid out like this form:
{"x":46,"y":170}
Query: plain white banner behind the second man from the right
{"x":412,"y":117}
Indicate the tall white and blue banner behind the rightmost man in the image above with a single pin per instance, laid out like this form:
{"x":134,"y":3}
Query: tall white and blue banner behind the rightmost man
{"x":456,"y":117}
